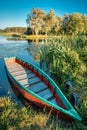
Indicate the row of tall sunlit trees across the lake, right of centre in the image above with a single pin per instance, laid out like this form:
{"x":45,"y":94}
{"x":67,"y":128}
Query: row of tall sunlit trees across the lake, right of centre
{"x":38,"y":22}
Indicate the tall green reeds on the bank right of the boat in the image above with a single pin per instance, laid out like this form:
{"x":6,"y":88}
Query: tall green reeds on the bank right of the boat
{"x":64,"y":59}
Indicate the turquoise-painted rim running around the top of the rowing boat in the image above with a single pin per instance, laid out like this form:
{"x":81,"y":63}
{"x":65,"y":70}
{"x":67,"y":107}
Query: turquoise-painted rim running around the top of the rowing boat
{"x":54,"y":85}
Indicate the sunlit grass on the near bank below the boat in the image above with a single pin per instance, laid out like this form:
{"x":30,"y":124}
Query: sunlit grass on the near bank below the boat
{"x":13,"y":117}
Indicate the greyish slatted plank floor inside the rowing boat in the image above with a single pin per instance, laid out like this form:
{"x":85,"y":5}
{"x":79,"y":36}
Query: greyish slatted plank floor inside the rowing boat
{"x":32,"y":82}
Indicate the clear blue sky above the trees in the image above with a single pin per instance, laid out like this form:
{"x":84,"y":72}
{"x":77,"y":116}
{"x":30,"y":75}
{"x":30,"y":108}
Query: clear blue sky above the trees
{"x":13,"y":13}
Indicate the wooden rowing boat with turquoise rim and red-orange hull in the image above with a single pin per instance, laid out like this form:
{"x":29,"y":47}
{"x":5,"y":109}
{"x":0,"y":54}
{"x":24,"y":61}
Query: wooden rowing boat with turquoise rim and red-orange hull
{"x":36,"y":86}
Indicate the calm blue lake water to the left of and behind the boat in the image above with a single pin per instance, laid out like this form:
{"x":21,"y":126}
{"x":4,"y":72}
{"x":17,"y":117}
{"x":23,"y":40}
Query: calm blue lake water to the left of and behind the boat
{"x":26,"y":50}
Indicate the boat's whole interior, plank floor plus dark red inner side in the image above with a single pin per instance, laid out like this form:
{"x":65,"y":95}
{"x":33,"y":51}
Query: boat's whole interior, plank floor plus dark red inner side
{"x":32,"y":80}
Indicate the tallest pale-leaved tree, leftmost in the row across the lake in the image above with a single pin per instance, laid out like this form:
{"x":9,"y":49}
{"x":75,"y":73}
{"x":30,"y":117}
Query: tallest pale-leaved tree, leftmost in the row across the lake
{"x":35,"y":20}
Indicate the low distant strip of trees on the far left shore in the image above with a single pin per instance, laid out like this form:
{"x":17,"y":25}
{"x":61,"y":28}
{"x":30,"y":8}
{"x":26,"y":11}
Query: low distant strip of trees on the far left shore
{"x":14,"y":30}
